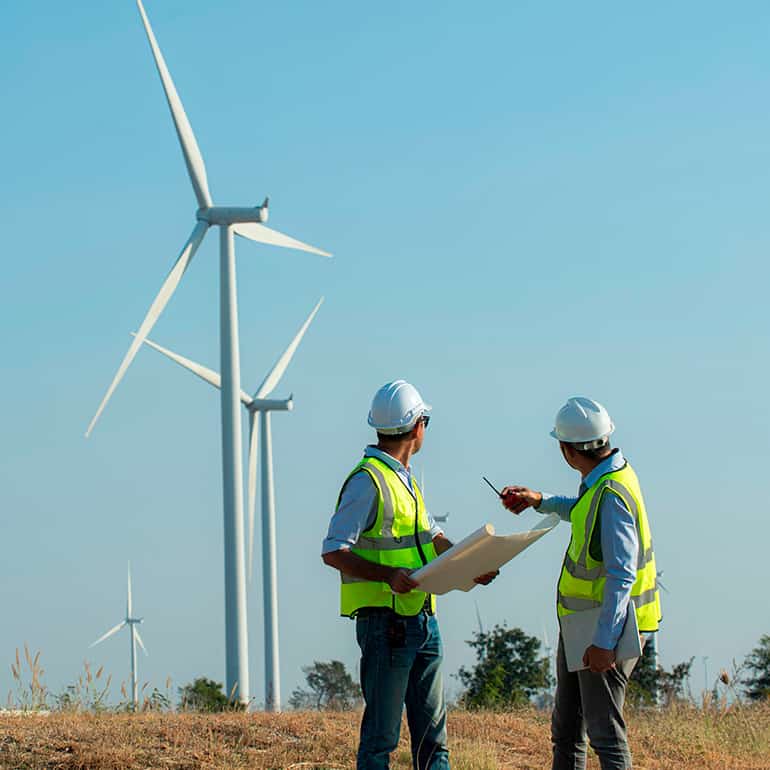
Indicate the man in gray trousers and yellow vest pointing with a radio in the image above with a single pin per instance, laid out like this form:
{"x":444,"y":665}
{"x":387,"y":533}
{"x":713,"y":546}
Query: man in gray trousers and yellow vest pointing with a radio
{"x":609,"y":564}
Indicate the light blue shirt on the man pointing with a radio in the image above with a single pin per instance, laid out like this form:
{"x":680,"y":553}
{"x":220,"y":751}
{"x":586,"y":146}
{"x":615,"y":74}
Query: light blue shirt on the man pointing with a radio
{"x":620,"y":548}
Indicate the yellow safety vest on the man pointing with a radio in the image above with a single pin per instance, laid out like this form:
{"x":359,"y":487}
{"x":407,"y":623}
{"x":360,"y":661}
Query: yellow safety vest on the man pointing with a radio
{"x":581,"y":585}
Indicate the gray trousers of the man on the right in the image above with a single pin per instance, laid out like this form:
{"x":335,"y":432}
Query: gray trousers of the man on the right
{"x":590,"y":704}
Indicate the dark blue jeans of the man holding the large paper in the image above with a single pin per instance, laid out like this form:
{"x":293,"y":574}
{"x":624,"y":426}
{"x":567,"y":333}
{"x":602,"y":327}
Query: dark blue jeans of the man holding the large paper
{"x":401,"y":665}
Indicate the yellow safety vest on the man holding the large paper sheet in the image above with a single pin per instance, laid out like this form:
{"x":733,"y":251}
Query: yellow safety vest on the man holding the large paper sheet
{"x":399,"y":537}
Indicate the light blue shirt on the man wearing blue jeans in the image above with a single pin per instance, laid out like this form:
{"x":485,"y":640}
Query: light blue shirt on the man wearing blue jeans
{"x":357,"y":508}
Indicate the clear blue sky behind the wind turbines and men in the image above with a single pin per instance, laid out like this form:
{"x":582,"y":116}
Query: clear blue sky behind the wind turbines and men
{"x":525,"y":202}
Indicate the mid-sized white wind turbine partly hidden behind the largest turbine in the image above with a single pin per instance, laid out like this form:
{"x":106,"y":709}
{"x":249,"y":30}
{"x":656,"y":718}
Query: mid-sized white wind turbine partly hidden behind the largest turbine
{"x":260,"y":406}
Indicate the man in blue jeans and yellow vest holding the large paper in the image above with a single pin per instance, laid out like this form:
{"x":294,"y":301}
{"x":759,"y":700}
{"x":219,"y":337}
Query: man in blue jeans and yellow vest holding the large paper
{"x":379,"y":534}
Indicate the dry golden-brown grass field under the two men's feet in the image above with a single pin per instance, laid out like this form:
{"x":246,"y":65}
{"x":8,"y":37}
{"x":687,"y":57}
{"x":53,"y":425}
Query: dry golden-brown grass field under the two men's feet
{"x":682,"y":738}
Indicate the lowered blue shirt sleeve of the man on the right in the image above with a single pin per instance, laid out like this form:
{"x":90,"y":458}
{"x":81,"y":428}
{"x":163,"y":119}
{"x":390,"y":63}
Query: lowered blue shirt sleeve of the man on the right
{"x":620,"y":549}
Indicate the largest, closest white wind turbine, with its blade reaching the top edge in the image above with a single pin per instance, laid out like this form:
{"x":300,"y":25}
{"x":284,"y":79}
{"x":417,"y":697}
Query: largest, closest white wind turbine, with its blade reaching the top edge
{"x":248,"y":223}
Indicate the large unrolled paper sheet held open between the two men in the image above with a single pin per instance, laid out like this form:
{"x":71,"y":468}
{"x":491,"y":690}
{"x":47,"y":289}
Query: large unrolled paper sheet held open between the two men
{"x":481,"y":552}
